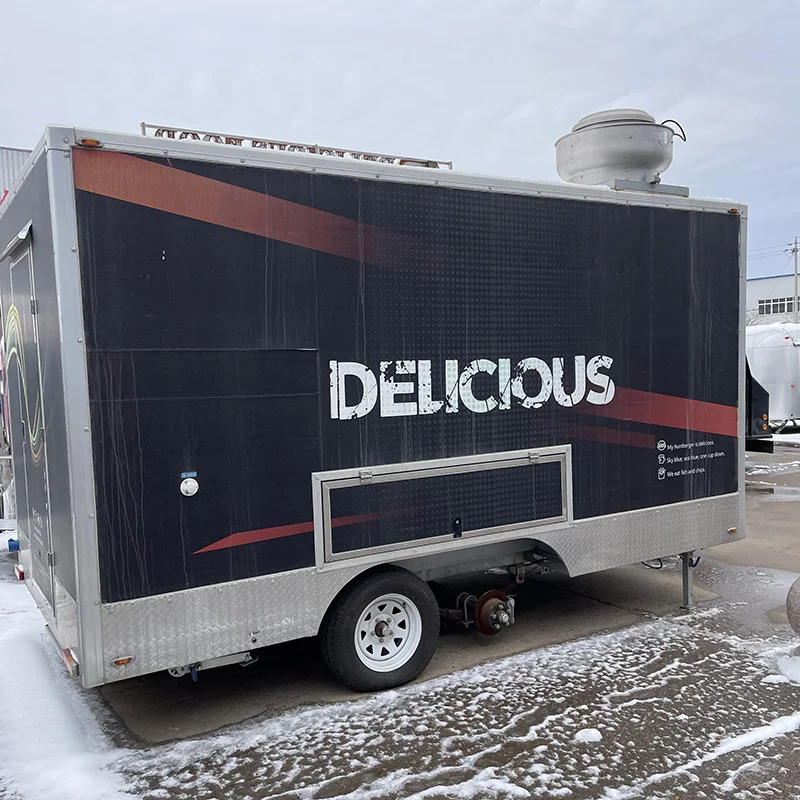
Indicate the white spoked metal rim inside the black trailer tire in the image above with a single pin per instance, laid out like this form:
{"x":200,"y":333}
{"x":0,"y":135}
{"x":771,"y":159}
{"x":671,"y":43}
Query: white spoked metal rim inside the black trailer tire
{"x":388,"y":632}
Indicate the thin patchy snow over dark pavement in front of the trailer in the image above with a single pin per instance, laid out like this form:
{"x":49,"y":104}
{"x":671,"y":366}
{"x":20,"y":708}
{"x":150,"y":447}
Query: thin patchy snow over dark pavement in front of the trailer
{"x":668,"y":708}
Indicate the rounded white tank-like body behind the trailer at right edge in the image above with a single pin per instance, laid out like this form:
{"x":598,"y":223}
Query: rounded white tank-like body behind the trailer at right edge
{"x":773,"y":352}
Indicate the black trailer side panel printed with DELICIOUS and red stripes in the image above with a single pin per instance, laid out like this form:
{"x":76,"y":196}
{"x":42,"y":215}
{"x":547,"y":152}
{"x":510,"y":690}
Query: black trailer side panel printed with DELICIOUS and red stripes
{"x":249,"y":327}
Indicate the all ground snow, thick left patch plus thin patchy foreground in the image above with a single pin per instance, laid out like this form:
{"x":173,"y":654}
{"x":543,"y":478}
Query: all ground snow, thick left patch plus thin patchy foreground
{"x":689,"y":706}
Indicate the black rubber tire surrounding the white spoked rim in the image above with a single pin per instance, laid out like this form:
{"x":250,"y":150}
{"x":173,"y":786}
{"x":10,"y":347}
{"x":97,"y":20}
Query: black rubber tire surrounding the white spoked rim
{"x":338,"y":632}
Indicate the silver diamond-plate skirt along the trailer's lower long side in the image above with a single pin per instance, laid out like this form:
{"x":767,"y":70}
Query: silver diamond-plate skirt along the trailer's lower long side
{"x":184,"y":627}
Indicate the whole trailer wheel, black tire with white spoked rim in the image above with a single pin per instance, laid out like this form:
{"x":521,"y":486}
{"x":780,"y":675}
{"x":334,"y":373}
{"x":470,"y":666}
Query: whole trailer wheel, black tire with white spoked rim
{"x":381,"y":631}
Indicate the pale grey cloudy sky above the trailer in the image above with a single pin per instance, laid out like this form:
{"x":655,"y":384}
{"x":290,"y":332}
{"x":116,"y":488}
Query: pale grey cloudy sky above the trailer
{"x":490,"y":85}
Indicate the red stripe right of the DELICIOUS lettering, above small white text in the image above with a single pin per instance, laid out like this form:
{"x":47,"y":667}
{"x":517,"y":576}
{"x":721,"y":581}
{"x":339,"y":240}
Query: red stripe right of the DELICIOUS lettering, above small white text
{"x":667,"y":411}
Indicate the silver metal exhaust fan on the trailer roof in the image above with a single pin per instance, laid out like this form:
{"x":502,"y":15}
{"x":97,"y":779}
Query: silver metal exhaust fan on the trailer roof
{"x":623,"y":144}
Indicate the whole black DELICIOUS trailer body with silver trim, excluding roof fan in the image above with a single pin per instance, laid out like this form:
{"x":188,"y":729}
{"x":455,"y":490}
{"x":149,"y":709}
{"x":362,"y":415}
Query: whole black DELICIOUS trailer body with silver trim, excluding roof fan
{"x":244,"y":390}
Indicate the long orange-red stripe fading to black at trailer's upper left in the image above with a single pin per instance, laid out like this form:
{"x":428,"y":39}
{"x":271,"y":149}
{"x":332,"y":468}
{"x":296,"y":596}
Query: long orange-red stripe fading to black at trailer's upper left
{"x":135,"y":180}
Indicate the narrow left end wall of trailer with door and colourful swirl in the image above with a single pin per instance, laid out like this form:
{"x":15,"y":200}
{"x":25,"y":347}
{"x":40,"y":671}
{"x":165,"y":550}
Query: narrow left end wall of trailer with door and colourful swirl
{"x":34,"y":384}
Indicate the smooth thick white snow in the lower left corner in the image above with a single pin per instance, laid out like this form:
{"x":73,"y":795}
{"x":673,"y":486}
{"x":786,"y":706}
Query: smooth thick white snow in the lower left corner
{"x":51,"y":745}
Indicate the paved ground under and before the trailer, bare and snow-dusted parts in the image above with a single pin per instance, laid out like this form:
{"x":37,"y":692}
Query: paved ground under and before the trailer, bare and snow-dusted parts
{"x":622,"y":696}
